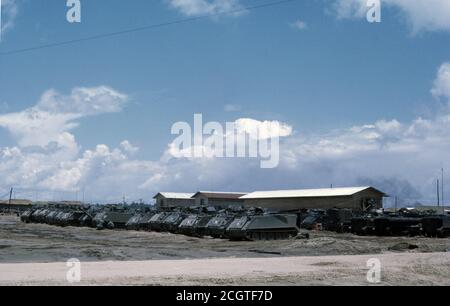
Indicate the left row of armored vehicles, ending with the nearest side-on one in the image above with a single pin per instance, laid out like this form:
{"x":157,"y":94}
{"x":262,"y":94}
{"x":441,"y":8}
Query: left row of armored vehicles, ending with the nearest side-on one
{"x":233,"y":224}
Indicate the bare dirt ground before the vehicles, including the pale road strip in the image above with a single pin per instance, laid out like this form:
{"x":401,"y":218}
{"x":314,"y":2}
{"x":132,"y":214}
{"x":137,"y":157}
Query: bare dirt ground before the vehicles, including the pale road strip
{"x":148,"y":258}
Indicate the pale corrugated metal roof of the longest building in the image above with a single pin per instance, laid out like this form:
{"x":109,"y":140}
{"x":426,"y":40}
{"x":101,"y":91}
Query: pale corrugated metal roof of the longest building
{"x":306,"y":193}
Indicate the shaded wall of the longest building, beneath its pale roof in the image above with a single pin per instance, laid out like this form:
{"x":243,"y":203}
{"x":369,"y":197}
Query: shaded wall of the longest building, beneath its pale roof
{"x":353,"y":202}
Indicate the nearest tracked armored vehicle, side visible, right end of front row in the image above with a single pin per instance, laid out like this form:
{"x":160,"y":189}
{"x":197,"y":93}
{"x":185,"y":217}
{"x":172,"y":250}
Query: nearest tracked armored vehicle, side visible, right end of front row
{"x":263,"y":227}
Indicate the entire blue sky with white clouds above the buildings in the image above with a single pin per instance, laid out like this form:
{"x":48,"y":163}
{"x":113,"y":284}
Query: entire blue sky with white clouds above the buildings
{"x":365,"y":103}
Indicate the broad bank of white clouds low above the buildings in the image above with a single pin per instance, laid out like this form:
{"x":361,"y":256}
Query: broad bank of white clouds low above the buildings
{"x":403,"y":158}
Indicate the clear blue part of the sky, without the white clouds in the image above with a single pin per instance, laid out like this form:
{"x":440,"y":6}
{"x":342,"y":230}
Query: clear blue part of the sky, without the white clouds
{"x":336,"y":73}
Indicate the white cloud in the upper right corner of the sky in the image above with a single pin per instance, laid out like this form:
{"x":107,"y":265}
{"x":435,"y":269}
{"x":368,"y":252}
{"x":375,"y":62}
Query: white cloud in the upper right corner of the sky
{"x":429,"y":15}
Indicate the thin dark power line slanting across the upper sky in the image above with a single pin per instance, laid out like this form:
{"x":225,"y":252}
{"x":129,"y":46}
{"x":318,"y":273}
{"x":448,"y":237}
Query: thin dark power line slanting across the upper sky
{"x":144,"y":28}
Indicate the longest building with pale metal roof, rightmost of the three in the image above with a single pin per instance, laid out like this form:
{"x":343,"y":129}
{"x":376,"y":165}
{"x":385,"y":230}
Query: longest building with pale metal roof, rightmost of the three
{"x":356,"y":198}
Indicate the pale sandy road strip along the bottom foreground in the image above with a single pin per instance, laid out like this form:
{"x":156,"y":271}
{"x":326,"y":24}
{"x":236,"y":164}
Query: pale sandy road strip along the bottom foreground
{"x":396,"y":269}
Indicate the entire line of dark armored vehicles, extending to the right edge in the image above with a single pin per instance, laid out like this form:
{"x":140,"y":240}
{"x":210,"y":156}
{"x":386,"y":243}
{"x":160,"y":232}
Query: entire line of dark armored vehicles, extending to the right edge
{"x":240,"y":224}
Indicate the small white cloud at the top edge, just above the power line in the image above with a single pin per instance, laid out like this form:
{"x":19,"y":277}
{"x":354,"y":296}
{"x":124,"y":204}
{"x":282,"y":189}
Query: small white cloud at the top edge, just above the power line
{"x":204,"y":7}
